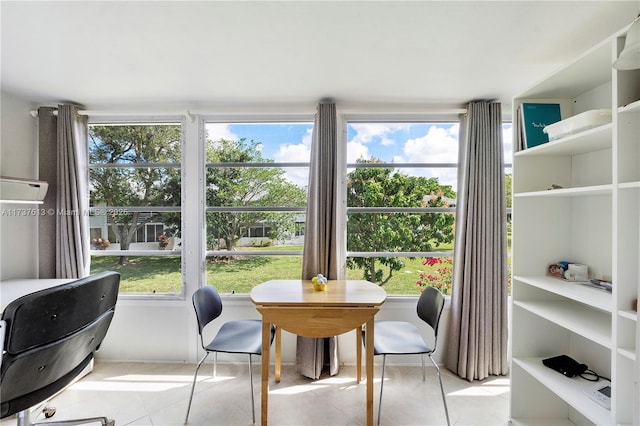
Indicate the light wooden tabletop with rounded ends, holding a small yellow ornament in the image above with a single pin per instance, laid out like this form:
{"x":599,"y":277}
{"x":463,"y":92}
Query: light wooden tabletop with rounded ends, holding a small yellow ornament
{"x":338,"y":293}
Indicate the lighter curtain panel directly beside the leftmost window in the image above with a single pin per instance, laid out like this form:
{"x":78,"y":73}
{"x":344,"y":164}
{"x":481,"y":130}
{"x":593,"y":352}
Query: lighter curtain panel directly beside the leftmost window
{"x":72,"y":219}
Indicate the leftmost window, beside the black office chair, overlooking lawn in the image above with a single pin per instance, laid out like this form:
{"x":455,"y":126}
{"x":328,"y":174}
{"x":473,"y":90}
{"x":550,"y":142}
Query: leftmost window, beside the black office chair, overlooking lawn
{"x":135,"y":199}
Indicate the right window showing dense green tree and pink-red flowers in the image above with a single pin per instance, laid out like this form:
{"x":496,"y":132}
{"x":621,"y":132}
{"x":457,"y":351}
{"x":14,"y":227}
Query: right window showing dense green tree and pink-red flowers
{"x":401,"y":192}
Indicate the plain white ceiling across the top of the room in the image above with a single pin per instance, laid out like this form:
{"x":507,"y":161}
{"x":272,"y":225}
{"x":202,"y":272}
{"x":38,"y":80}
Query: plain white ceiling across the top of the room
{"x":151,"y":53}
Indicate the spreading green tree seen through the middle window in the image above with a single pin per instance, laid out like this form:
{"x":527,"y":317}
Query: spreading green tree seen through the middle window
{"x":241,"y":186}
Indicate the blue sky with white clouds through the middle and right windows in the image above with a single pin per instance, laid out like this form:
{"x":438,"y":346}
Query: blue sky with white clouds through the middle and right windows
{"x":389,"y":142}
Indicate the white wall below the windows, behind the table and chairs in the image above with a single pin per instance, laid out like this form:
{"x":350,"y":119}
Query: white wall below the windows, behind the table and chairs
{"x":166,"y":331}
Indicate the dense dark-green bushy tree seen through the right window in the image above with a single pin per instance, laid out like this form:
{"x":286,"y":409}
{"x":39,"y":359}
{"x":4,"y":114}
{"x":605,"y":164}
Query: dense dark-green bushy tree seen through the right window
{"x":406,"y":231}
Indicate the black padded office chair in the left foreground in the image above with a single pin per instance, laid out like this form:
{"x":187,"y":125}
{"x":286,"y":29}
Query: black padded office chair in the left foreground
{"x":50,"y":337}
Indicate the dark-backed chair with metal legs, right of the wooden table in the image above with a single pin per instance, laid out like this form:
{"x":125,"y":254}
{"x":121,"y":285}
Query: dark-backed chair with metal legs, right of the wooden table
{"x":404,"y":338}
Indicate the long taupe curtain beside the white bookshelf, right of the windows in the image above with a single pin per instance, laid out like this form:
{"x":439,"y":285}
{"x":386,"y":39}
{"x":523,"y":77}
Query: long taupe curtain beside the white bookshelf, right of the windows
{"x":478,"y":317}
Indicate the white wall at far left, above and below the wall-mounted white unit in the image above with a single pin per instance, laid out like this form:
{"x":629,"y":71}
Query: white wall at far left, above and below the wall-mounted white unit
{"x":18,"y":158}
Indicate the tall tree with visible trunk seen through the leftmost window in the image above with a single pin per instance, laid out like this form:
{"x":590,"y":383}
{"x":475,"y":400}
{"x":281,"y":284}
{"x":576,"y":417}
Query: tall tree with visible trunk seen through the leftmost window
{"x":122,"y":186}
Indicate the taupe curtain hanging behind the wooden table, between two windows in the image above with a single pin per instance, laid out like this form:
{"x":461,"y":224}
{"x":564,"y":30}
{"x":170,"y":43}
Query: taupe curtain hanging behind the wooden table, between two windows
{"x":319,"y":256}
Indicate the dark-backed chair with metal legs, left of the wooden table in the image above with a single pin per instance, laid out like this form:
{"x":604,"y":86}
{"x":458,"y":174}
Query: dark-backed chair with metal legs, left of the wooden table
{"x":236,"y":337}
